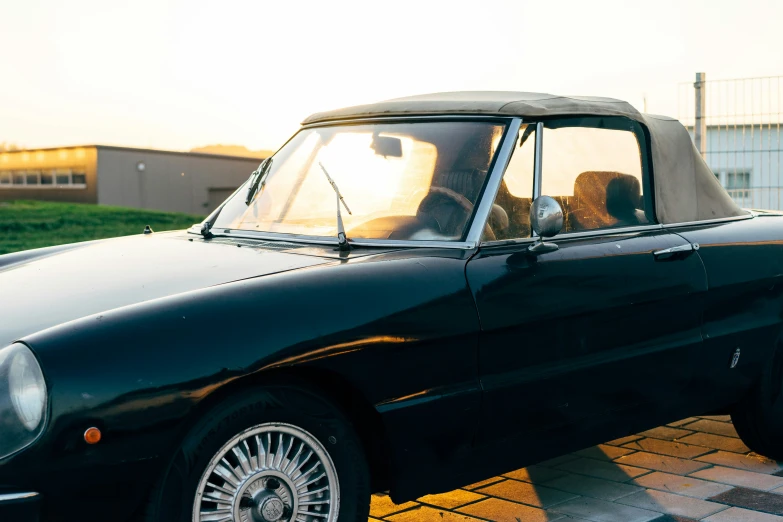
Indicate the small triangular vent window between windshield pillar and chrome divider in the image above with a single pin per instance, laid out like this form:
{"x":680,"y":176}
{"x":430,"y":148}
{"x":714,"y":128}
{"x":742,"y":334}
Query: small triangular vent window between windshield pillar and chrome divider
{"x":510,"y":214}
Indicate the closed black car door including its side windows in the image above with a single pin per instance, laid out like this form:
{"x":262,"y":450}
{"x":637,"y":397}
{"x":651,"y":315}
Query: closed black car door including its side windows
{"x":601,"y":334}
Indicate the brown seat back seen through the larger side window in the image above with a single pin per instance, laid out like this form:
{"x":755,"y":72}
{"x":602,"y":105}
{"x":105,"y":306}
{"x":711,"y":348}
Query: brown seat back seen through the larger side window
{"x":605,"y":199}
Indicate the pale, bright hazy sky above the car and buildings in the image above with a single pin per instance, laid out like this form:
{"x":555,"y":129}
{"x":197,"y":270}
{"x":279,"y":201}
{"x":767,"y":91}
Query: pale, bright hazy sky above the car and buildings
{"x":179,"y":74}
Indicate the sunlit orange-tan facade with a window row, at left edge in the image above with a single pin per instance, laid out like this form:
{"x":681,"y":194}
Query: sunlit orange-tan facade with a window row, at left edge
{"x":50,"y":162}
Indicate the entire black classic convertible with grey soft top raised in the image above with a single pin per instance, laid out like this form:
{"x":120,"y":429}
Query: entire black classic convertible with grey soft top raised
{"x":408,"y":296}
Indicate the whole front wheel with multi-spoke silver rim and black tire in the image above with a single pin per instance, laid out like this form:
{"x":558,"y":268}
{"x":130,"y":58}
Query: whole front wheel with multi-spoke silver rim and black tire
{"x":278,"y":454}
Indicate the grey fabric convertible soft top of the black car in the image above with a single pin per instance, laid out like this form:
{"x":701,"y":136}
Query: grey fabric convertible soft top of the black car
{"x":685,"y":187}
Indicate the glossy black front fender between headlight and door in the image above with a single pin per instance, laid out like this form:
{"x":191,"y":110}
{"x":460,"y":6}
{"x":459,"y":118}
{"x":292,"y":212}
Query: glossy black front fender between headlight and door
{"x":402,"y":330}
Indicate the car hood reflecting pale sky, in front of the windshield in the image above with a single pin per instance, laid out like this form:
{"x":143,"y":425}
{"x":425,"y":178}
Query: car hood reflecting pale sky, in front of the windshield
{"x":47,"y":287}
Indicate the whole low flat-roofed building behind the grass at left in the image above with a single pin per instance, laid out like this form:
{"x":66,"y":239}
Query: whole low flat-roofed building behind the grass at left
{"x":189,"y":182}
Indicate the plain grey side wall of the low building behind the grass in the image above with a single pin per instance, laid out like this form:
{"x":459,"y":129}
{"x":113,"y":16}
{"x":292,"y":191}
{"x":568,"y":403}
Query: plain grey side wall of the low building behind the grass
{"x":178,"y":182}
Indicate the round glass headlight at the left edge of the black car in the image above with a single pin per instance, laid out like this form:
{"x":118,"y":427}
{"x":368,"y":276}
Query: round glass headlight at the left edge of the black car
{"x":22,"y":398}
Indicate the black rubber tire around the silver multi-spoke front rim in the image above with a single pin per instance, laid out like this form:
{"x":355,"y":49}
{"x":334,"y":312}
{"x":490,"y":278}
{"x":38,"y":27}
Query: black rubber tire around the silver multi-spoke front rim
{"x":172,"y":499}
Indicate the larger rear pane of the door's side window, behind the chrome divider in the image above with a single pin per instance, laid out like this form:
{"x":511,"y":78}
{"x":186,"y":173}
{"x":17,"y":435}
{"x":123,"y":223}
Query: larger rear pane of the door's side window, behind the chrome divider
{"x":596,"y":174}
